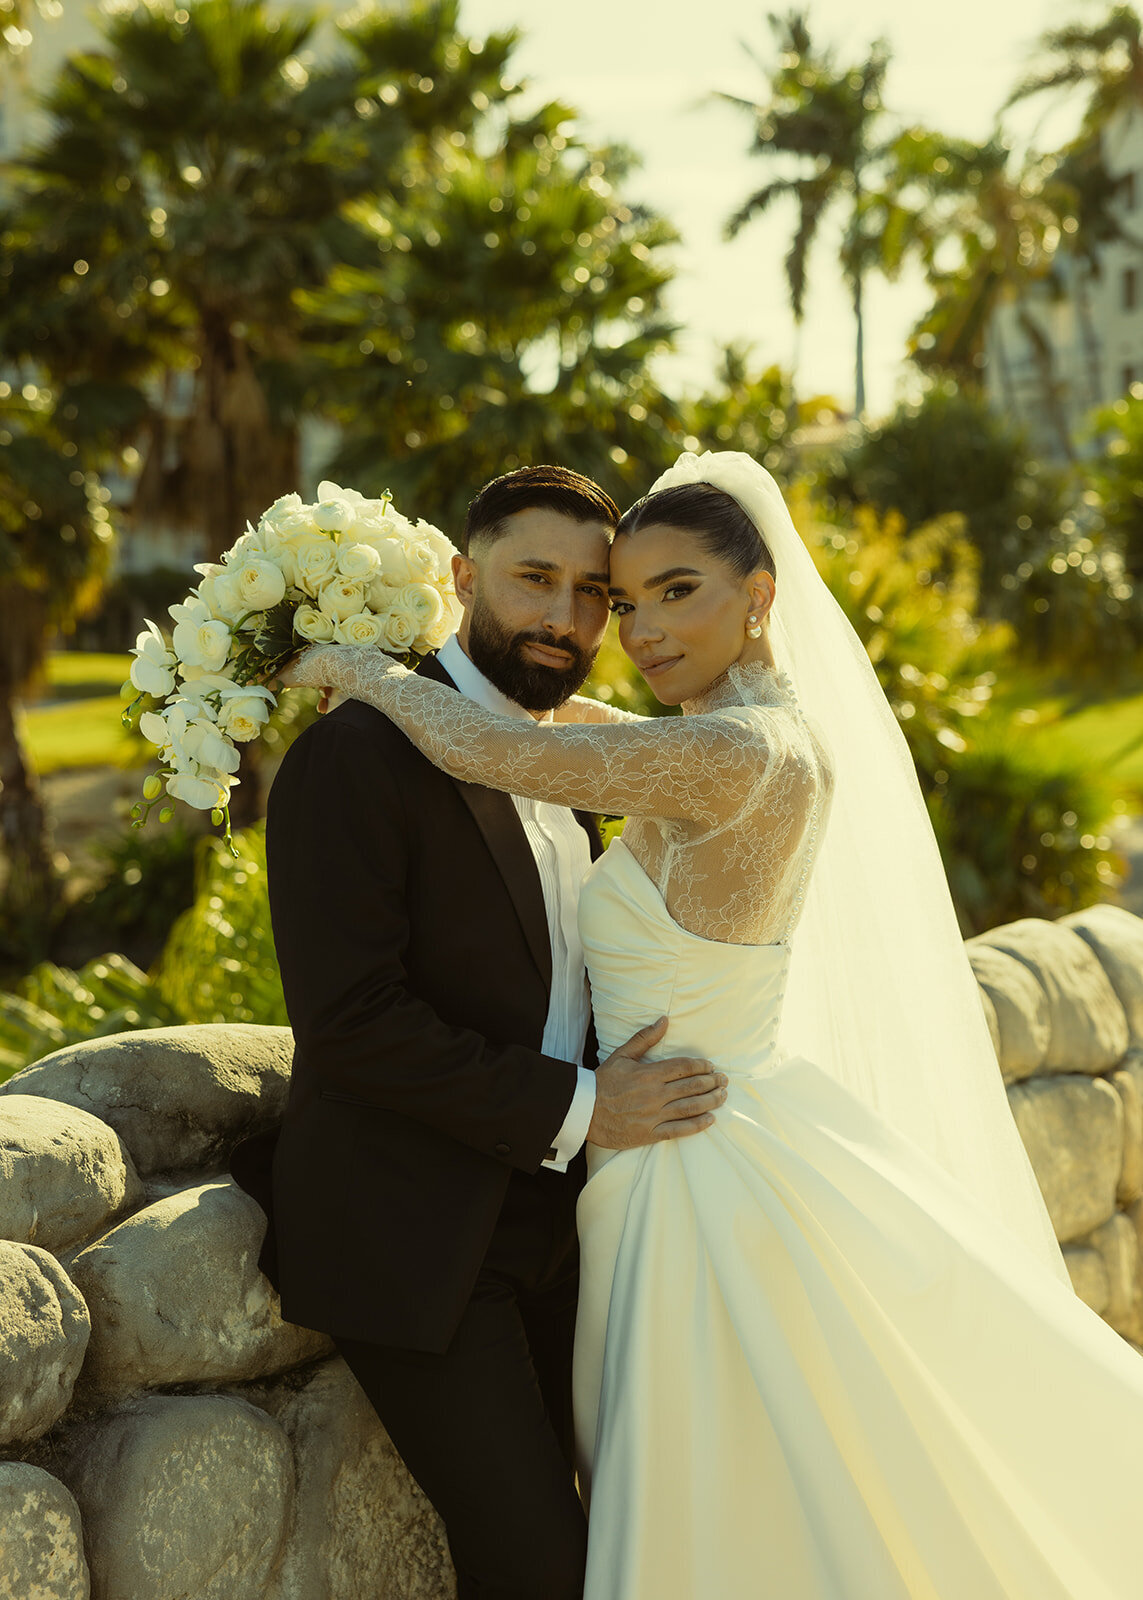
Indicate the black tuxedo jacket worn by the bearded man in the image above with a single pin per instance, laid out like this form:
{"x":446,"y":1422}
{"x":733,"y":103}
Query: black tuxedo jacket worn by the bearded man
{"x":415,"y":958}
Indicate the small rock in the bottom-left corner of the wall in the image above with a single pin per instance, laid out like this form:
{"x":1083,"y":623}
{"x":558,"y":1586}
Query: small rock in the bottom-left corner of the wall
{"x":41,"y":1538}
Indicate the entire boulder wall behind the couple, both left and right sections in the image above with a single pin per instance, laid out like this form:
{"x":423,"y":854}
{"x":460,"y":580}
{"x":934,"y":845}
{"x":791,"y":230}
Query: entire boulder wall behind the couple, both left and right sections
{"x":169,"y":1438}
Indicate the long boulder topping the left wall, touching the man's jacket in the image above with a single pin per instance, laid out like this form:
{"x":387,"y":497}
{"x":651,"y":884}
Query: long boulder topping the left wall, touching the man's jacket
{"x":178,"y":1097}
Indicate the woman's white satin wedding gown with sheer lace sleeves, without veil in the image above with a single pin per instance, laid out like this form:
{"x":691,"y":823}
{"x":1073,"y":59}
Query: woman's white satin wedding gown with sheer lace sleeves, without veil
{"x":809,"y":1364}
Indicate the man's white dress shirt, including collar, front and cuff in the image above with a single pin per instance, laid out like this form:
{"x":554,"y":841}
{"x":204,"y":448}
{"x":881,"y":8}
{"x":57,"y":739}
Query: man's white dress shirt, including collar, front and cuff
{"x":563,"y":858}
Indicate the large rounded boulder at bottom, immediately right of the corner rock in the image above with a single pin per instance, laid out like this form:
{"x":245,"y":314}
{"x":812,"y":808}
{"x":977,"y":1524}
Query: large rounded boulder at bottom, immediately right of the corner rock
{"x":183,"y":1498}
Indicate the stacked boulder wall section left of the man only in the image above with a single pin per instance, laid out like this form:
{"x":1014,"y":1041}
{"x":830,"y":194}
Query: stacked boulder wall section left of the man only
{"x":169,"y":1438}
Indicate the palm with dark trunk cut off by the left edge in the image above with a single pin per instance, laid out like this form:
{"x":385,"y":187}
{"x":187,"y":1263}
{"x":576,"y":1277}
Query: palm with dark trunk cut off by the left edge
{"x":55,"y":542}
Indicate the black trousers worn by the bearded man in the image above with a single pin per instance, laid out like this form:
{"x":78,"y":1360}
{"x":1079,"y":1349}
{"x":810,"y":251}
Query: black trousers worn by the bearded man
{"x":486,"y":1428}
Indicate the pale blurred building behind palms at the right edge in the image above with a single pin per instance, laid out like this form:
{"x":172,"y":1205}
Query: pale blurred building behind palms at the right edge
{"x":1077,"y":343}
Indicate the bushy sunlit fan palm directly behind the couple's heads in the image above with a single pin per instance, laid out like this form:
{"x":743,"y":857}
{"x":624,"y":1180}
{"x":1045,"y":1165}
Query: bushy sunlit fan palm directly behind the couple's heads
{"x":511,"y":319}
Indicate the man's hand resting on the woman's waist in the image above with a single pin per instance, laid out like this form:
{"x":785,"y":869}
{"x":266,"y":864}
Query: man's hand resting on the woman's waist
{"x":646,"y":1102}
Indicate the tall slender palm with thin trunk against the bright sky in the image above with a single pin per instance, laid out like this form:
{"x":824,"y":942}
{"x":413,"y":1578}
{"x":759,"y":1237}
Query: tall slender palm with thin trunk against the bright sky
{"x":825,"y":118}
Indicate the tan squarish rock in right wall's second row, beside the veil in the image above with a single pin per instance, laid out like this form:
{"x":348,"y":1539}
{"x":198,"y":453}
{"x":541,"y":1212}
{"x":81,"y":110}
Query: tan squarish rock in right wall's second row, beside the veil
{"x":1073,"y":1130}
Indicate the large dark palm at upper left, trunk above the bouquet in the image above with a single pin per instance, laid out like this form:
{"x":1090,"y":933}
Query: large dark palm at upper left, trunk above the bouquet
{"x":196,"y":178}
